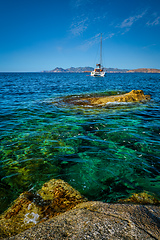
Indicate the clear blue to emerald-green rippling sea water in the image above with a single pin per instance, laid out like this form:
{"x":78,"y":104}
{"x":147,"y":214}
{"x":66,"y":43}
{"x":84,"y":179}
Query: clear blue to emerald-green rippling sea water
{"x":106,"y":153}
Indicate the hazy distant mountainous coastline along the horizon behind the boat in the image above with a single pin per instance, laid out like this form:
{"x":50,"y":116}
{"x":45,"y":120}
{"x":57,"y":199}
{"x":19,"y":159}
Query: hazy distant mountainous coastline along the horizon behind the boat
{"x":107,"y":70}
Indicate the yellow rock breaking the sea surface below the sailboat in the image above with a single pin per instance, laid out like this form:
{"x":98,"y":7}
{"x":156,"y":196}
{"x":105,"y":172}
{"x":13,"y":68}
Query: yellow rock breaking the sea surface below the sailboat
{"x":133,"y":96}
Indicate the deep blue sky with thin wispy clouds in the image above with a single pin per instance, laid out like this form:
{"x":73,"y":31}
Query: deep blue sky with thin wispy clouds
{"x":37,"y":35}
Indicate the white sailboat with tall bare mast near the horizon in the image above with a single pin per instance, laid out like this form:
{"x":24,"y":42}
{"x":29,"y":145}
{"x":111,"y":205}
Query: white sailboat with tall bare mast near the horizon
{"x":99,"y":71}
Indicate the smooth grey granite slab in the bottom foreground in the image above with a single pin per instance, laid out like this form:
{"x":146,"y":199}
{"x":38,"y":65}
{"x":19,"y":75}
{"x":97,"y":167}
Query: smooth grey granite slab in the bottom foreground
{"x":97,"y":220}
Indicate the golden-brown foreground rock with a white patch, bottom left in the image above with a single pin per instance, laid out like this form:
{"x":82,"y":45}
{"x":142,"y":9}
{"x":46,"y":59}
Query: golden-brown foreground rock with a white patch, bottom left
{"x":29,"y":209}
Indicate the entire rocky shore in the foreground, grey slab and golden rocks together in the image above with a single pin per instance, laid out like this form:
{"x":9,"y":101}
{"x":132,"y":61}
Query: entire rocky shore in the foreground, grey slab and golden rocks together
{"x":57,"y":211}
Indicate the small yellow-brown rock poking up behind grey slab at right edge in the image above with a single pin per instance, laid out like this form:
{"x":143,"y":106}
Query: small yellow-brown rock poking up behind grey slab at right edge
{"x":141,"y":198}
